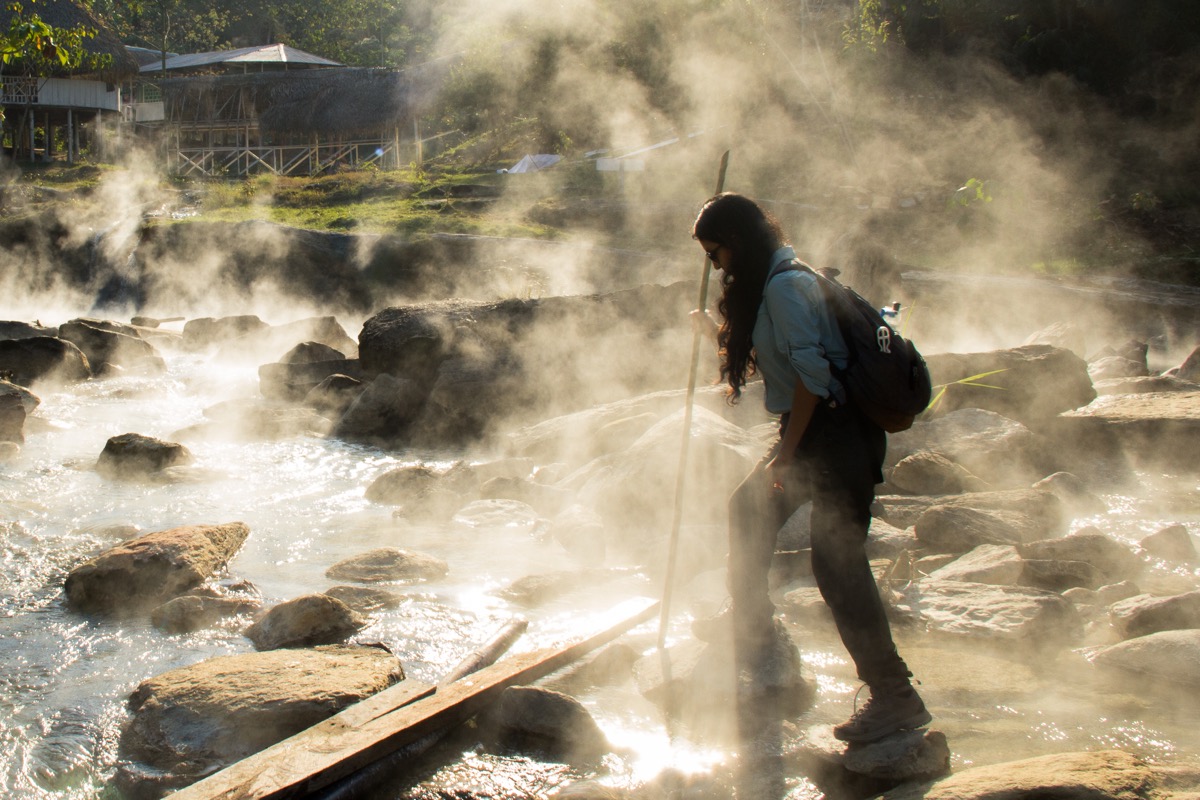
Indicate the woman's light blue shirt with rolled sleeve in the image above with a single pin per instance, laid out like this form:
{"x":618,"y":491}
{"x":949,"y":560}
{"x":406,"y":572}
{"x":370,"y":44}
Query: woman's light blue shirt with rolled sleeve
{"x":796,"y":338}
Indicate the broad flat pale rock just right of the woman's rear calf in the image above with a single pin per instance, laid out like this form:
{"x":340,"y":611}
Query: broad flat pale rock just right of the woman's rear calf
{"x":979,"y":610}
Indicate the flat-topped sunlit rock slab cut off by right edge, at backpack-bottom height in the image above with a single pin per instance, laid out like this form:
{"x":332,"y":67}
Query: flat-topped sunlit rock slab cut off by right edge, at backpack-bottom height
{"x":1155,"y":431}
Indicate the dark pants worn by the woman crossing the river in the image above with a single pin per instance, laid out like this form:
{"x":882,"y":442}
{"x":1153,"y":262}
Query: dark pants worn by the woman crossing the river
{"x":838,"y":465}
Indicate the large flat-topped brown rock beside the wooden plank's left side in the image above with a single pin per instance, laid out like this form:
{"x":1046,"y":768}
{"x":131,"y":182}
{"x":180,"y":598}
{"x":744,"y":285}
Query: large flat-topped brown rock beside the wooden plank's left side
{"x":196,"y":720}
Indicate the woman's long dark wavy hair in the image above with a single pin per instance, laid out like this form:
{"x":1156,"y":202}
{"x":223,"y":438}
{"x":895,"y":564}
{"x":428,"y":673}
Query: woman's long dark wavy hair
{"x":752,"y":237}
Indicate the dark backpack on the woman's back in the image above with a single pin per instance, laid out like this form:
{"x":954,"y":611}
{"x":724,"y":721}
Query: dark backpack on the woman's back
{"x":886,"y":376}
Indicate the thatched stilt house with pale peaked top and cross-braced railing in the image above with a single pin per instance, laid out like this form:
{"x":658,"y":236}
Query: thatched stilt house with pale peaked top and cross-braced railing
{"x":277,"y":110}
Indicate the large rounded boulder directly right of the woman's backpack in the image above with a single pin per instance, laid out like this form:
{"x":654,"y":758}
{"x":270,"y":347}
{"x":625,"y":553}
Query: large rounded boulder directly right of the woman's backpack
{"x":1037,"y":382}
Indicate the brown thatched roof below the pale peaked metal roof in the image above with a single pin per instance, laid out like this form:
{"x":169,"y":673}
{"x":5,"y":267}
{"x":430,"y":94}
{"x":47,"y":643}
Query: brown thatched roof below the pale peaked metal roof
{"x":335,"y":103}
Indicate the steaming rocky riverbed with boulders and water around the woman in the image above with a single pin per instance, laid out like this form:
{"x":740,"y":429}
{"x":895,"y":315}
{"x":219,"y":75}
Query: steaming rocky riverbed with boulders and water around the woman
{"x":200,"y":513}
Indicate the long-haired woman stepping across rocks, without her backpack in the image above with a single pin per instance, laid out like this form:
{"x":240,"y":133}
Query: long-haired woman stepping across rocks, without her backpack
{"x":776,"y":323}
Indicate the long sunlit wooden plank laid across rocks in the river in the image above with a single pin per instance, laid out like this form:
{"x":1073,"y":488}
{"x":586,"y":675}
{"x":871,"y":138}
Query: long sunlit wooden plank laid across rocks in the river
{"x":353,"y":739}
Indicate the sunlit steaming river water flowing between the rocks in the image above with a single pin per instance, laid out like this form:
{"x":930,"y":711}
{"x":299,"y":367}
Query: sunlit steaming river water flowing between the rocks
{"x":67,"y":677}
